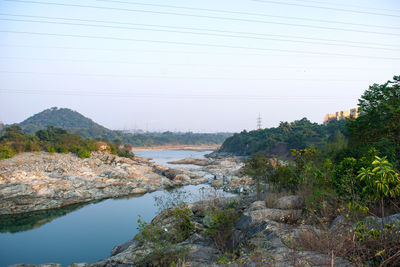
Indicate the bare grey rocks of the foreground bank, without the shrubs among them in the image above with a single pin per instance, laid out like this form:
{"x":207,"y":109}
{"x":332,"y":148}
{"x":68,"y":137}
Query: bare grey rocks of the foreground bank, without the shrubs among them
{"x":260,"y":236}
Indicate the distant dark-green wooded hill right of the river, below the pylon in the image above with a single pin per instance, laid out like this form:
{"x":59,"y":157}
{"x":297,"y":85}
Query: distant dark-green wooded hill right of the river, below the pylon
{"x":278,"y":141}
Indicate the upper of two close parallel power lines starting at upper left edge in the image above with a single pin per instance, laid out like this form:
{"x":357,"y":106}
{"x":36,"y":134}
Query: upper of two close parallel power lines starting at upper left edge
{"x":191,"y":28}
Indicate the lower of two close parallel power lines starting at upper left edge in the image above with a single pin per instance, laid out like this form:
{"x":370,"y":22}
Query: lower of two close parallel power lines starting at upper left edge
{"x":205,"y":34}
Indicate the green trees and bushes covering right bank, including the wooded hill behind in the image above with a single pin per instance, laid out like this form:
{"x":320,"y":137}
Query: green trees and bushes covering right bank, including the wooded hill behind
{"x":348,"y":168}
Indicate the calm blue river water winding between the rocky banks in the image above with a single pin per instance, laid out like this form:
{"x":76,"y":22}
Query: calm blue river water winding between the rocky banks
{"x":84,"y":233}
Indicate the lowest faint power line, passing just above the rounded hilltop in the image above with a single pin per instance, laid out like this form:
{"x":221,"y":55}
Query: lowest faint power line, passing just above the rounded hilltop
{"x":180,"y":96}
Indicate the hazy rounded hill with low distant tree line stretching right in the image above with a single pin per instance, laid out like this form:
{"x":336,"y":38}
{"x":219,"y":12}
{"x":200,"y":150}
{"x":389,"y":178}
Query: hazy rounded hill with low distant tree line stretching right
{"x":75,"y":122}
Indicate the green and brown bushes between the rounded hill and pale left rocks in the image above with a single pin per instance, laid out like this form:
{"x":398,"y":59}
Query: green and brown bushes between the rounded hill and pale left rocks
{"x":53,"y":140}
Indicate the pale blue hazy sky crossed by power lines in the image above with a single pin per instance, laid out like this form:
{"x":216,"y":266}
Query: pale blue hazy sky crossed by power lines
{"x":201,"y":66}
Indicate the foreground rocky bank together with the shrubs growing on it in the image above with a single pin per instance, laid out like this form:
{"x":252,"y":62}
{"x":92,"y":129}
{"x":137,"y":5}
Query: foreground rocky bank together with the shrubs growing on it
{"x":238,"y":231}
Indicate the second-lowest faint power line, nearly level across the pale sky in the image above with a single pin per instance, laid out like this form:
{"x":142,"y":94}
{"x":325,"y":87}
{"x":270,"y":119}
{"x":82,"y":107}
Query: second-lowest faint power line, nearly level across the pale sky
{"x":170,"y":77}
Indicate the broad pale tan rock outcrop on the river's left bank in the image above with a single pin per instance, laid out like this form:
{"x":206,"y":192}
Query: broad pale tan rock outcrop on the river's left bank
{"x":40,"y":181}
